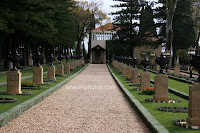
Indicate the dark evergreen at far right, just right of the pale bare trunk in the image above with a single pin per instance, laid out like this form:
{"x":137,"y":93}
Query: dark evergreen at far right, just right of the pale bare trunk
{"x":183,"y":25}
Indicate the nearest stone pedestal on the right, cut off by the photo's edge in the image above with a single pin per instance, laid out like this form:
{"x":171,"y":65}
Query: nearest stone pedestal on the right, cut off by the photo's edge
{"x":194,"y":105}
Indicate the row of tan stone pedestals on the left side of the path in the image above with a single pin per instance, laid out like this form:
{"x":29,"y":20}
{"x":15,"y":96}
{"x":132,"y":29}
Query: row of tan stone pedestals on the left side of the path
{"x":14,"y":76}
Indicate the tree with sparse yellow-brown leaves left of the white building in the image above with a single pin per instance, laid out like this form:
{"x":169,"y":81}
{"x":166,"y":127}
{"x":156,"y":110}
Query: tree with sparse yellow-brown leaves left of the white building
{"x":86,"y":15}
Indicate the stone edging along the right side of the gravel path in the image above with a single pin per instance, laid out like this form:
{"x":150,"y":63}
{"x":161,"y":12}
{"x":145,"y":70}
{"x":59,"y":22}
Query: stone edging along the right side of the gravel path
{"x":151,"y":122}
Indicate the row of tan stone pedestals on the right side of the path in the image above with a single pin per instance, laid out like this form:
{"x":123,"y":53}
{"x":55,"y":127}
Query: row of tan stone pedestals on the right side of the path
{"x":161,"y":89}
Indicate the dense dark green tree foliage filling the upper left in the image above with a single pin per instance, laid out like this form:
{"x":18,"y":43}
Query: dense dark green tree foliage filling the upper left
{"x":33,"y":23}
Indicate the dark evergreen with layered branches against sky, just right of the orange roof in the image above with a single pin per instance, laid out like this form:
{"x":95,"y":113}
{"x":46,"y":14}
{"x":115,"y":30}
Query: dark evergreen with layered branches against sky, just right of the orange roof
{"x":126,"y":20}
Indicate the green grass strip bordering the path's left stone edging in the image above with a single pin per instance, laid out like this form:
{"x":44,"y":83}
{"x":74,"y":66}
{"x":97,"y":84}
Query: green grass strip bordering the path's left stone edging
{"x":6,"y":106}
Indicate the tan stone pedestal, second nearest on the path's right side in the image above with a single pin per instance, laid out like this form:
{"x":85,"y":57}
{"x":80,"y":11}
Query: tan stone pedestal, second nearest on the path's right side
{"x":161,"y":88}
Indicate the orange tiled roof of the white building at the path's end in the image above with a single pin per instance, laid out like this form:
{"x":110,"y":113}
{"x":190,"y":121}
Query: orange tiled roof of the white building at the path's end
{"x":106,"y":27}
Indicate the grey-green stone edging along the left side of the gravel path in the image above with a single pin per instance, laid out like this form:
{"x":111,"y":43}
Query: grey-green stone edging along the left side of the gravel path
{"x":19,"y":109}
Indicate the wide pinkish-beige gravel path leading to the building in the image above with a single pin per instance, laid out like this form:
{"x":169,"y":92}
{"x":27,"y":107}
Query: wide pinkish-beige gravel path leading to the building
{"x":90,"y":103}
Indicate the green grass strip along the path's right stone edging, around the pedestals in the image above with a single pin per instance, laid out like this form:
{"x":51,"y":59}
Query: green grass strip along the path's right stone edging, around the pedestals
{"x":165,"y":118}
